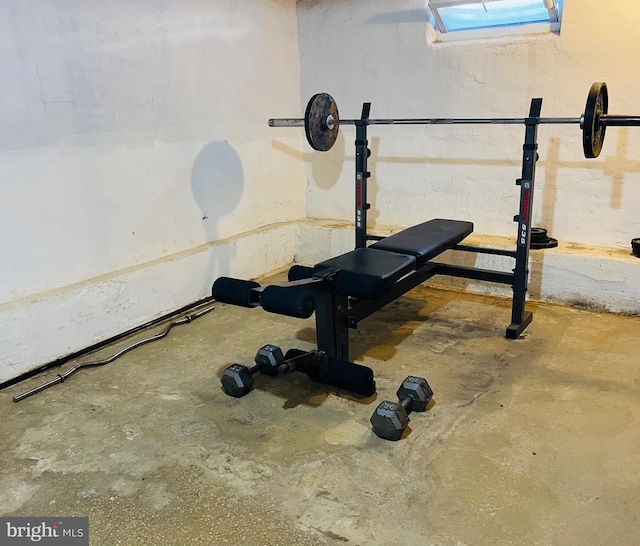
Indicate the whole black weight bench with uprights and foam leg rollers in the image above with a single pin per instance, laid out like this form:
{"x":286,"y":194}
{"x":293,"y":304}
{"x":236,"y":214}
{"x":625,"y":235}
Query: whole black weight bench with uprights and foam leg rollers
{"x":348,"y":288}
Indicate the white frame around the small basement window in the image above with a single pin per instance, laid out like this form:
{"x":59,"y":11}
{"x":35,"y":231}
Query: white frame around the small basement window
{"x":554,"y":8}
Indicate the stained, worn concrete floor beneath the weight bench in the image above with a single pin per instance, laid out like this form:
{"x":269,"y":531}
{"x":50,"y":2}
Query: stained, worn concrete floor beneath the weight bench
{"x":534,"y":441}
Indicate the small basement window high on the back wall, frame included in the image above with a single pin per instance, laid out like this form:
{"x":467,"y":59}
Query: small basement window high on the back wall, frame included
{"x":474,"y":17}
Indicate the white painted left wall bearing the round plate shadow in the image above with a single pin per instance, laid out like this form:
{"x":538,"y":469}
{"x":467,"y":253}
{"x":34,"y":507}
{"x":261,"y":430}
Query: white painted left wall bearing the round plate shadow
{"x":134,"y":155}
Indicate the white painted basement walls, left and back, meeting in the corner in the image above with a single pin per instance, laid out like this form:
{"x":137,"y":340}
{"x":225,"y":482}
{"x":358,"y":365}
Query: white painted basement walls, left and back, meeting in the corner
{"x":136,"y":164}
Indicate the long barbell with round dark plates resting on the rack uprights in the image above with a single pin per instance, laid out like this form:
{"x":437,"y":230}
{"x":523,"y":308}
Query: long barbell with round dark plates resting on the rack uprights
{"x":321,"y":121}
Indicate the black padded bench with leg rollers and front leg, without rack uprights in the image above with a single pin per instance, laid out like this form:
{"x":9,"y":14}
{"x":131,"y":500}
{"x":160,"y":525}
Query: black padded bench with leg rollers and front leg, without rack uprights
{"x":344,"y":290}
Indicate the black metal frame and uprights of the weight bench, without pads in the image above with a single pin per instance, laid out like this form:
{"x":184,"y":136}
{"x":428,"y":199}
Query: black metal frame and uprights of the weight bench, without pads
{"x":337,"y":313}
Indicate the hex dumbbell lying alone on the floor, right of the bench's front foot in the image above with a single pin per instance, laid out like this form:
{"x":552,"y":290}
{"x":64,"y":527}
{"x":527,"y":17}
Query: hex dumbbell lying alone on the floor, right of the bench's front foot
{"x":391,"y":418}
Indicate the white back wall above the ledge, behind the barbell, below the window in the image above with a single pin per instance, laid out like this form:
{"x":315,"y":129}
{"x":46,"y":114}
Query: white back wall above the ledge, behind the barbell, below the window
{"x":379,"y":51}
